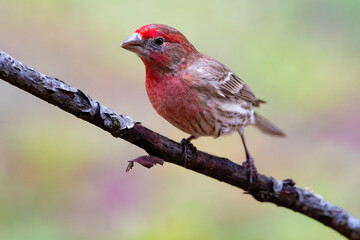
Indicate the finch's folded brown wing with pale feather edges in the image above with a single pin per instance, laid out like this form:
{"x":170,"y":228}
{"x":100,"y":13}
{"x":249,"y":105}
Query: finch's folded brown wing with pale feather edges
{"x":227,"y":84}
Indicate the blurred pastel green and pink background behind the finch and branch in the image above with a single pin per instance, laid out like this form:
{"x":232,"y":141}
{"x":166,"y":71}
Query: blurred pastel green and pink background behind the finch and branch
{"x":62,"y":178}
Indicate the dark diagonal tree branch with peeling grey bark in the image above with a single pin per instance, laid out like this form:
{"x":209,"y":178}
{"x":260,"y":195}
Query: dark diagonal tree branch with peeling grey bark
{"x":266,"y":189}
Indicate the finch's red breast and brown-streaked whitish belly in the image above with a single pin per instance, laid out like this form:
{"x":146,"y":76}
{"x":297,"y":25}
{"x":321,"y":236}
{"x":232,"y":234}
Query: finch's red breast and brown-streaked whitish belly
{"x":195,"y":114}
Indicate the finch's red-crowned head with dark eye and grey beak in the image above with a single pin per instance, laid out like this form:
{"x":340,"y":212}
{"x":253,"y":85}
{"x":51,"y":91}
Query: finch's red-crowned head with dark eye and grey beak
{"x":160,"y":46}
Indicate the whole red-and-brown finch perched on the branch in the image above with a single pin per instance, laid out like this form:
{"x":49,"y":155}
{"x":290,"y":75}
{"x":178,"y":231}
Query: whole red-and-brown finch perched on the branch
{"x":194,"y":92}
